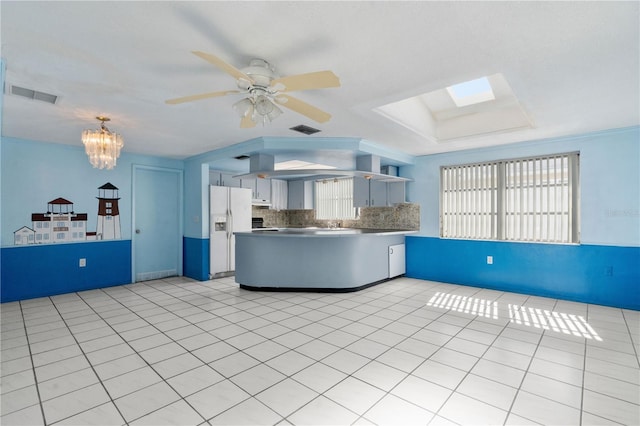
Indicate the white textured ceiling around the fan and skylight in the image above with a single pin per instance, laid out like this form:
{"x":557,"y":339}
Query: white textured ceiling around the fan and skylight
{"x":573,"y":65}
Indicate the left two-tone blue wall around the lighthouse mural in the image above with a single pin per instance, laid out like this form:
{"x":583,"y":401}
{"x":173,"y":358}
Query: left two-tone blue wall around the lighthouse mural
{"x":33,"y":173}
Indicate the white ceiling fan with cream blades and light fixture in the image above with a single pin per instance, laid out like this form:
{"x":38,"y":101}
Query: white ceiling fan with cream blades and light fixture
{"x":265,"y":91}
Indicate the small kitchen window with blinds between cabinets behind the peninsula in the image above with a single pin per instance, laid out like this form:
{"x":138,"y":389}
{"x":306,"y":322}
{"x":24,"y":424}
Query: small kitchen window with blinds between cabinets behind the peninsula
{"x":334,"y":199}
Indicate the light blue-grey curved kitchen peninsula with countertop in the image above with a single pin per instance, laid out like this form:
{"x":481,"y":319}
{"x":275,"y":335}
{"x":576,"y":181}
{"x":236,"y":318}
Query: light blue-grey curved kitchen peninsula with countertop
{"x":318,"y":259}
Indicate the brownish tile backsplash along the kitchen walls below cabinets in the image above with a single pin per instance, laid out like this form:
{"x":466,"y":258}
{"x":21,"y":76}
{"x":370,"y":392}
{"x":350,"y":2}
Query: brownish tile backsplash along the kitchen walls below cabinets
{"x":404,"y":216}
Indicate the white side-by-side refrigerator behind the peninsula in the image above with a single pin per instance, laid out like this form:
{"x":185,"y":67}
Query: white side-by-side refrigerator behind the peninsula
{"x":229,"y":212}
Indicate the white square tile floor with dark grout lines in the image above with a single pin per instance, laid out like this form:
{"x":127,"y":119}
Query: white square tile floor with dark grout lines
{"x":182,"y":352}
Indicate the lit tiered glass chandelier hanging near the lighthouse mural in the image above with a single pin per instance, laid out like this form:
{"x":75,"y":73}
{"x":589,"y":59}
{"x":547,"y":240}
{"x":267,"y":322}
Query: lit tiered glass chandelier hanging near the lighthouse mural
{"x":102,"y":146}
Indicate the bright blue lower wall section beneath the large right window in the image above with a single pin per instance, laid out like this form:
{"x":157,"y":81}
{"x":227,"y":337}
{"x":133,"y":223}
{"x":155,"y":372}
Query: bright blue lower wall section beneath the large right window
{"x":604,"y":275}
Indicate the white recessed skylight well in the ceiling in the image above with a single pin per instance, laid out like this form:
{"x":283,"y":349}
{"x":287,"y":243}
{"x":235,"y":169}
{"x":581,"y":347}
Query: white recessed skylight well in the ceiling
{"x":436,"y":117}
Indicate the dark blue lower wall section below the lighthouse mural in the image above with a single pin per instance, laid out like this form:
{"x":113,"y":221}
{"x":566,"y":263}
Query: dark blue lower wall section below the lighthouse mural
{"x":49,"y":269}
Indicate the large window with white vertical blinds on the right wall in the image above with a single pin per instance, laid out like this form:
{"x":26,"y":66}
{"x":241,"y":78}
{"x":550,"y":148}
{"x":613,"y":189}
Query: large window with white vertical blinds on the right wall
{"x":530,"y":199}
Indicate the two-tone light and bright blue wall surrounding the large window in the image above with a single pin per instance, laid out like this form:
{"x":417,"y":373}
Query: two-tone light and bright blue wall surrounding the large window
{"x":602,"y":269}
